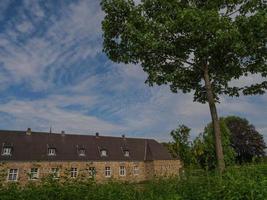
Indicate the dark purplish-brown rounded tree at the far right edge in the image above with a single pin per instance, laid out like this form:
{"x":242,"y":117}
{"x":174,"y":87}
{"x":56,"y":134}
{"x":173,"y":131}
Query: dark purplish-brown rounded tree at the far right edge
{"x":245,"y":139}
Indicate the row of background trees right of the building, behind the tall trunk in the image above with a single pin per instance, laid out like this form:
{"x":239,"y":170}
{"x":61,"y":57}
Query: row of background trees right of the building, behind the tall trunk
{"x":241,"y":143}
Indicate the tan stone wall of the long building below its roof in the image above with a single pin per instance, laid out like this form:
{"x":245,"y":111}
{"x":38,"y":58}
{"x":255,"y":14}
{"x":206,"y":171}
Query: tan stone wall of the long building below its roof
{"x":146,"y":170}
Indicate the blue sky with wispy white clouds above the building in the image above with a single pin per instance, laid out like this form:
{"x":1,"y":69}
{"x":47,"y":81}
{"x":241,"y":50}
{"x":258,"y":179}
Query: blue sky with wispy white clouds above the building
{"x":53,"y":73}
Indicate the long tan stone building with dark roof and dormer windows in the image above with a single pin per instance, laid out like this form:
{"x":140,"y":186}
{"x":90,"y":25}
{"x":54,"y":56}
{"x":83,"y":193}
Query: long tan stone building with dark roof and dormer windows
{"x":28,"y":156}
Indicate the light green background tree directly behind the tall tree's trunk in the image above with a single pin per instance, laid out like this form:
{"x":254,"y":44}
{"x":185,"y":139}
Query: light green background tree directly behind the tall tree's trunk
{"x":204,"y":148}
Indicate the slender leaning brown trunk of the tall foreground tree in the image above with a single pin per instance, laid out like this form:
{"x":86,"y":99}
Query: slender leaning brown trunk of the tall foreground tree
{"x":215,"y":121}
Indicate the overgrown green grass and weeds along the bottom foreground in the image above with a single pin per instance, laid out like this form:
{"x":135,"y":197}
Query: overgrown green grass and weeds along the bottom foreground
{"x":239,"y":182}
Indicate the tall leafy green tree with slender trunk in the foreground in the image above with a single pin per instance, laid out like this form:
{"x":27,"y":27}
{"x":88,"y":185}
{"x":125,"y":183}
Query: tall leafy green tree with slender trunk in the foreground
{"x":191,"y":45}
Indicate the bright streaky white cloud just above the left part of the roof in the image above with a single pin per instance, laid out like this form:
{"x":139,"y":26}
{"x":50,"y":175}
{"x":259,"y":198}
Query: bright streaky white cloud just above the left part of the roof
{"x":41,"y":114}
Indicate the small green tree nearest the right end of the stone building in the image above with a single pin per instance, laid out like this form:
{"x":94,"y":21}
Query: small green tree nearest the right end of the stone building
{"x":181,"y":146}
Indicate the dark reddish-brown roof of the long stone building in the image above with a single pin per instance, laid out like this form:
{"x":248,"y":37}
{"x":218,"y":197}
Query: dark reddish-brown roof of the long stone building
{"x":34,"y":147}
